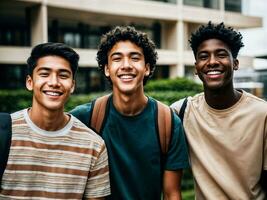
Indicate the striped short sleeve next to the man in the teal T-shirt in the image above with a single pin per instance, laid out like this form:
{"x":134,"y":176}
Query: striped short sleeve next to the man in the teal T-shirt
{"x":98,"y":184}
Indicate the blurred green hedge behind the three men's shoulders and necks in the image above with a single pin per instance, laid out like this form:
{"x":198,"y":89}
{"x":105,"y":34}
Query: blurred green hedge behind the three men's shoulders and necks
{"x":165,"y":90}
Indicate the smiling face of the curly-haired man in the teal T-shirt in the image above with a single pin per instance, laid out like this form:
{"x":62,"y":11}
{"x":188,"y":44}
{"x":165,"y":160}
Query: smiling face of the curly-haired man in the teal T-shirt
{"x":126,"y":67}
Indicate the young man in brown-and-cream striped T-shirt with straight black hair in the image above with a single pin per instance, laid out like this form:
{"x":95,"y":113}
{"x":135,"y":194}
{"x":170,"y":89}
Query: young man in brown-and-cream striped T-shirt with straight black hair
{"x":52,"y":154}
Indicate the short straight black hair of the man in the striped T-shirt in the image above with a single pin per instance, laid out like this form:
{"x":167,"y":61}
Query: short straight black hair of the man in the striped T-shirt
{"x":53,"y":49}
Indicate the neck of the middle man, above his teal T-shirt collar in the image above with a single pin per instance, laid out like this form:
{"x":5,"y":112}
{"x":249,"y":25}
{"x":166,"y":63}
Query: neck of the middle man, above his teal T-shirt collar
{"x":129,"y":105}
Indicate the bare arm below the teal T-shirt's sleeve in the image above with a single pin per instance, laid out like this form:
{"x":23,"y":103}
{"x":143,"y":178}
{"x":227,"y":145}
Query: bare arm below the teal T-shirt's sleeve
{"x":172,"y":185}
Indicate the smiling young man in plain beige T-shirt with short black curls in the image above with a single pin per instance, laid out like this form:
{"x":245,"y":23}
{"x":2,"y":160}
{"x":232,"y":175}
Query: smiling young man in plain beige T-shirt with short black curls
{"x":226,"y":128}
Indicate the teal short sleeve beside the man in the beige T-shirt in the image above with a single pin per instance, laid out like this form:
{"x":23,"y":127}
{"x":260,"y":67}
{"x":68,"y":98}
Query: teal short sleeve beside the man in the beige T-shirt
{"x":177,"y":156}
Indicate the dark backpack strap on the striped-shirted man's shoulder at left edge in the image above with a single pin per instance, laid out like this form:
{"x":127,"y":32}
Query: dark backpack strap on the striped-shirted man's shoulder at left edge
{"x":5,"y":140}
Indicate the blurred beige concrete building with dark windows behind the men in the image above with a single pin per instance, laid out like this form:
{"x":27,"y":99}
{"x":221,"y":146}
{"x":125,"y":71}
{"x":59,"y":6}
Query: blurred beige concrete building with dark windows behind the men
{"x":80,"y":24}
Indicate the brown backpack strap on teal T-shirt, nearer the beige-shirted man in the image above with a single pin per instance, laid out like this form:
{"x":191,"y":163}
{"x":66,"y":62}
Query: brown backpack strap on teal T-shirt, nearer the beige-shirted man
{"x":164,"y":126}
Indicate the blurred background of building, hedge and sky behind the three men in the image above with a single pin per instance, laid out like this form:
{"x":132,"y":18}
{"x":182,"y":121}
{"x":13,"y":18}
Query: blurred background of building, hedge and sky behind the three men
{"x":169,"y":23}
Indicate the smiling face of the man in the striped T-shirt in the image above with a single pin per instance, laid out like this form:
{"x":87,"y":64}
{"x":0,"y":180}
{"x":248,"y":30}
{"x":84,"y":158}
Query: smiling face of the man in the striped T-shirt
{"x":51,"y":82}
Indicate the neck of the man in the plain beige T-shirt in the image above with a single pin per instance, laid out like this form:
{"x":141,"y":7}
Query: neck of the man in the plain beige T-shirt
{"x":223,"y":98}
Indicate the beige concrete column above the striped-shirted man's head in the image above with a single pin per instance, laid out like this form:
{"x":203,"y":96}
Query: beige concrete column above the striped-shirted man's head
{"x":39,"y":24}
